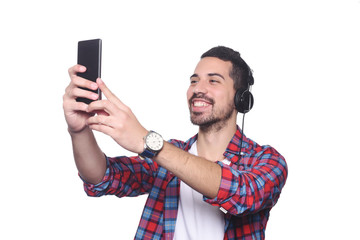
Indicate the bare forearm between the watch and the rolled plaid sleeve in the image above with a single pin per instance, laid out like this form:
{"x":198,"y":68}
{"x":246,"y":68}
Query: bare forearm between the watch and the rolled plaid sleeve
{"x":202,"y":175}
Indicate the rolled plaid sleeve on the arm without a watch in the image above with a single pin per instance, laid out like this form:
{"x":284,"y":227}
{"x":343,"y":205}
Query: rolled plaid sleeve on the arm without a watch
{"x":124,"y":176}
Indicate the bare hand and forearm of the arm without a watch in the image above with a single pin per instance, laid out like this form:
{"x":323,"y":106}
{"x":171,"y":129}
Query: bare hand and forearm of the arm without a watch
{"x":89,"y":159}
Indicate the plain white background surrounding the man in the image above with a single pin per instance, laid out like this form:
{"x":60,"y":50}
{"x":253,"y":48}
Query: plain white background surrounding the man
{"x":305,"y":56}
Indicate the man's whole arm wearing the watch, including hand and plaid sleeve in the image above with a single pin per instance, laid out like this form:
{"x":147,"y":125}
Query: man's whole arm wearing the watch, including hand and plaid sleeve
{"x":236,"y":191}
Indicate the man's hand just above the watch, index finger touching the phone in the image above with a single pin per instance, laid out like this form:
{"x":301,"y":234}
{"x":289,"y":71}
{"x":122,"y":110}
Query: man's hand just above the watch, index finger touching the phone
{"x":118,"y":122}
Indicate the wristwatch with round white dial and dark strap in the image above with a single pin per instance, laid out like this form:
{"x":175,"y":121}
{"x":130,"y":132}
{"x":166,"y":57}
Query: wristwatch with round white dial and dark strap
{"x":153,"y":143}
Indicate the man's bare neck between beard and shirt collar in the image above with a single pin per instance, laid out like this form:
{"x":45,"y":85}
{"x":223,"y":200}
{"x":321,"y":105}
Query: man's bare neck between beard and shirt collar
{"x":211,"y":144}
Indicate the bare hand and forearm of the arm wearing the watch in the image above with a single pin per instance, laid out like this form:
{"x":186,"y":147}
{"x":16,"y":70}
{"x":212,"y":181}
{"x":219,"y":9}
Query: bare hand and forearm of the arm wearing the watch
{"x":121,"y":124}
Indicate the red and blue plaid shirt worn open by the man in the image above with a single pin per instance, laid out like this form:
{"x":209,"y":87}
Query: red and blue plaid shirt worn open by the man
{"x":249,"y":189}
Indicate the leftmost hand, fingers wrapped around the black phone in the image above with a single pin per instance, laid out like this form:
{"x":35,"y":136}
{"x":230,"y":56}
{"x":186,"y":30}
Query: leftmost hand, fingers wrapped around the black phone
{"x":76,"y":113}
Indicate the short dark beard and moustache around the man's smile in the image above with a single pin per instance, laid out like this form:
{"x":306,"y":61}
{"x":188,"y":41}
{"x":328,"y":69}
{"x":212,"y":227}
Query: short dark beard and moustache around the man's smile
{"x":216,"y":120}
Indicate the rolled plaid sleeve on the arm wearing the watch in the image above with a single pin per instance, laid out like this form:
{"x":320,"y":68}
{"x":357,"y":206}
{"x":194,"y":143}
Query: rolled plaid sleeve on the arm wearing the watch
{"x":258,"y":187}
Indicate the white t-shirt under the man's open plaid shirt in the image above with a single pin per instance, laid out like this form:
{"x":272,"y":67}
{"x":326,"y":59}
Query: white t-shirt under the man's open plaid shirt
{"x":197,"y":219}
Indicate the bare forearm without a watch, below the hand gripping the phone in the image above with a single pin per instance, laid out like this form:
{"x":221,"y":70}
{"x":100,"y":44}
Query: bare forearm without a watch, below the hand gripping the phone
{"x":89,"y":159}
